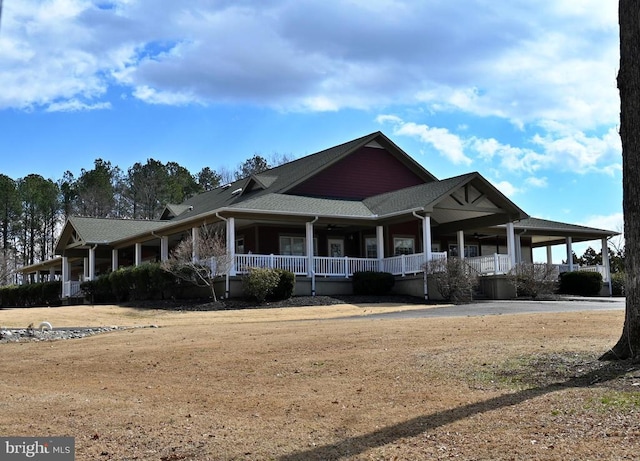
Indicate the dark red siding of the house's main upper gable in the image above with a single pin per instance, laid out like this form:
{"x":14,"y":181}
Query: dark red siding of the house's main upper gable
{"x":364,"y":173}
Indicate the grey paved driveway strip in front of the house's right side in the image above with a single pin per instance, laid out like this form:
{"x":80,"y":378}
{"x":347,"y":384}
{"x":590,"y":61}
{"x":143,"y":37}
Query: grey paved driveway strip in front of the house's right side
{"x":509,"y":307}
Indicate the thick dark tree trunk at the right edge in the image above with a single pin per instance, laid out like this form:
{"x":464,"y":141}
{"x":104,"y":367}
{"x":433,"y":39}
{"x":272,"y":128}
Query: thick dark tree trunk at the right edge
{"x":628,"y":345}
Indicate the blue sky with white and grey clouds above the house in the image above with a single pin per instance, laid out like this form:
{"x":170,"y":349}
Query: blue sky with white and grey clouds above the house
{"x":523,"y":92}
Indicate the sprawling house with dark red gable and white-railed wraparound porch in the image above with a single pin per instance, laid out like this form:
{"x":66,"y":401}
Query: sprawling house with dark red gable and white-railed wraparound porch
{"x":362,"y":205}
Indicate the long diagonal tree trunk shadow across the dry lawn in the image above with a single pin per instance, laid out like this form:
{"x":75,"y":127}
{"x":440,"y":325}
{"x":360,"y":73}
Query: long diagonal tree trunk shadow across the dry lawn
{"x":421,"y":424}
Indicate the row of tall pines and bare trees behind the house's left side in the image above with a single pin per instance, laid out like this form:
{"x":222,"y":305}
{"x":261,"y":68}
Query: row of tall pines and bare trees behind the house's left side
{"x":34,"y":208}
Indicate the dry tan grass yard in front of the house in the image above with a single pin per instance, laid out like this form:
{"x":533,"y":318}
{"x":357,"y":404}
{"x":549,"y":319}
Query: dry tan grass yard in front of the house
{"x":300,"y":384}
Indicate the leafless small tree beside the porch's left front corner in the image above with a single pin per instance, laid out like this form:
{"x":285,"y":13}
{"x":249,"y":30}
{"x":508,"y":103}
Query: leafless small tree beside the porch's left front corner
{"x":202,"y":260}
